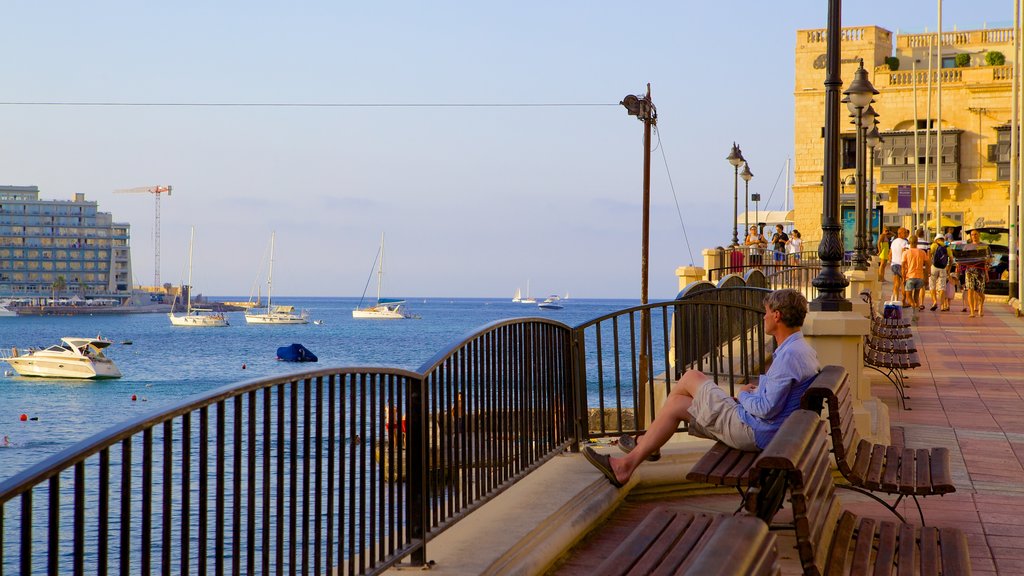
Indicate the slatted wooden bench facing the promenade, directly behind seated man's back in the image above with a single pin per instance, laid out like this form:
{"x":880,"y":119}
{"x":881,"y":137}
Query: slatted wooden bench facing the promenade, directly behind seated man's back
{"x":874,"y":468}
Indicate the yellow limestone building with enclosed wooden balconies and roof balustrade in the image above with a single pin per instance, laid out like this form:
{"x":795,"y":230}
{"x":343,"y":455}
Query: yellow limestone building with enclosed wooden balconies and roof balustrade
{"x":974,"y":157}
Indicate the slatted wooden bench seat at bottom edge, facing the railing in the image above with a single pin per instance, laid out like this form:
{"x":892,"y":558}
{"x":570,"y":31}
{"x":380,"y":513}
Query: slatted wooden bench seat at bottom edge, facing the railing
{"x":675,"y":542}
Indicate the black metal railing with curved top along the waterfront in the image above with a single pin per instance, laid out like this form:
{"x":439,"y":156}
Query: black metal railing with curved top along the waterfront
{"x":350,"y":471}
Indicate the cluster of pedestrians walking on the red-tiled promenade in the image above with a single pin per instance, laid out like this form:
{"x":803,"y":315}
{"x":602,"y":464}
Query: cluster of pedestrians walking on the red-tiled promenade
{"x":918,"y":265}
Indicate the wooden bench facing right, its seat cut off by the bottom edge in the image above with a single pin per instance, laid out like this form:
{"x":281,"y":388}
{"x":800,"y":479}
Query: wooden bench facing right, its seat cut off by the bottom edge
{"x":831,"y":541}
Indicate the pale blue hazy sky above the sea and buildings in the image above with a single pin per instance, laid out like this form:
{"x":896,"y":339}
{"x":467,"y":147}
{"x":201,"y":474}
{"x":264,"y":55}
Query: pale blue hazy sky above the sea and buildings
{"x":475,"y":200}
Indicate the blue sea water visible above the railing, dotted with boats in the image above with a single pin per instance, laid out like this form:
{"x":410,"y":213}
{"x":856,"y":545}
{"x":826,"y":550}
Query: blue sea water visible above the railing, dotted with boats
{"x":162,"y":365}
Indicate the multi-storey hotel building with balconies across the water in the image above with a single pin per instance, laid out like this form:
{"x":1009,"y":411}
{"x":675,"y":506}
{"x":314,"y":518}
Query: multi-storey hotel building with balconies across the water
{"x":42,"y":241}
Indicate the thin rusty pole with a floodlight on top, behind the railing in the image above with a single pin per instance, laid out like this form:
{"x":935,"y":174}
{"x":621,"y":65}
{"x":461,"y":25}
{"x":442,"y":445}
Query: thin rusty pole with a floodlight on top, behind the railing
{"x":645,"y":110}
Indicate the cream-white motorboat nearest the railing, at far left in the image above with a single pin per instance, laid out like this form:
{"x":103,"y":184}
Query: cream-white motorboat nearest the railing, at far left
{"x":73,"y":358}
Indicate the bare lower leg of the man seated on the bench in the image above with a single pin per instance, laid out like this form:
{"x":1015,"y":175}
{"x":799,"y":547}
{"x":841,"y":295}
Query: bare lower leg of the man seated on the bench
{"x":675,"y":410}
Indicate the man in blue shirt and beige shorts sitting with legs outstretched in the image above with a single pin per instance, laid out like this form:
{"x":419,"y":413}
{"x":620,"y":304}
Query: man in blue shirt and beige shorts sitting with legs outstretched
{"x":747,"y":423}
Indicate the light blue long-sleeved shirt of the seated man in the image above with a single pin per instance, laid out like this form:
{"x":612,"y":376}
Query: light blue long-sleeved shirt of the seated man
{"x":794,"y":366}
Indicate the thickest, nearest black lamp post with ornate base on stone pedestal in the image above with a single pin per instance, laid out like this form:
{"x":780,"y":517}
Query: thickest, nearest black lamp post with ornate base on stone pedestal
{"x":831,"y":282}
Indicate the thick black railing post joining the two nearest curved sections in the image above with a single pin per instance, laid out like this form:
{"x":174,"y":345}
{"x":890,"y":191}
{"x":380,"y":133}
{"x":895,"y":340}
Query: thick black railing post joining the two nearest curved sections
{"x":416,"y":443}
